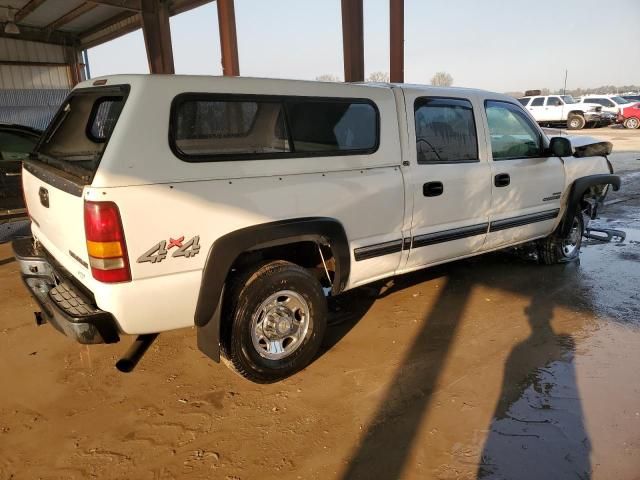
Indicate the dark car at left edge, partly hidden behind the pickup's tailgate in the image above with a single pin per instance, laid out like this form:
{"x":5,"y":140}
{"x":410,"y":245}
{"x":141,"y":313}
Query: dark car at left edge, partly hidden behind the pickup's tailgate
{"x":16,"y":141}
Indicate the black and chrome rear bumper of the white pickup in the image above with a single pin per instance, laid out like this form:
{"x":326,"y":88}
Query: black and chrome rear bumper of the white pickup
{"x":64,"y":305}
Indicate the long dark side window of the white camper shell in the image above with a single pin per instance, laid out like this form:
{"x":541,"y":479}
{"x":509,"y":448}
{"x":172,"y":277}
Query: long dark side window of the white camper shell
{"x":223,"y":127}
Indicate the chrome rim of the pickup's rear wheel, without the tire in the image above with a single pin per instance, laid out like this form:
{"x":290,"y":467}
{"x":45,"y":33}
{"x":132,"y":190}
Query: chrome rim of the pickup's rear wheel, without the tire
{"x":280,"y":324}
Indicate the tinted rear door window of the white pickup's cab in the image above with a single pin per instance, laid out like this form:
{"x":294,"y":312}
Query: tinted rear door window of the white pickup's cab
{"x":445,"y":130}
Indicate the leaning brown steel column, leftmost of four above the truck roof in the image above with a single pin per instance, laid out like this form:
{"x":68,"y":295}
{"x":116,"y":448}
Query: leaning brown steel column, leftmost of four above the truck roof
{"x":157,"y":35}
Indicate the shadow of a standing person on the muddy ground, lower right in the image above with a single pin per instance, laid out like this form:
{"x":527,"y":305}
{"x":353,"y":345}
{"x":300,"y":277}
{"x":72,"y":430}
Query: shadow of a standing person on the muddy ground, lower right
{"x":538,"y":428}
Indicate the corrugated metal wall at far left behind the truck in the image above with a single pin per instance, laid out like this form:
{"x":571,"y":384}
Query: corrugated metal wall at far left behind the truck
{"x":30,"y":94}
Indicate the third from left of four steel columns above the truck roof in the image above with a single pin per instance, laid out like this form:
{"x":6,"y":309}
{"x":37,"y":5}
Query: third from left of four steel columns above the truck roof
{"x":353,"y":40}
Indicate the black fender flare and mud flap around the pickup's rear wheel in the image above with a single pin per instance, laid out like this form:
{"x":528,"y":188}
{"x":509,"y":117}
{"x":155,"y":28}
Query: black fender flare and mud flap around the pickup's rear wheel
{"x":226,"y":249}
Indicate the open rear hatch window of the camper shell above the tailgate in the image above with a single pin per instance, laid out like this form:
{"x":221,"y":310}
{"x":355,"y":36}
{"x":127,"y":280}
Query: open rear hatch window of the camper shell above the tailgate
{"x":78,"y":135}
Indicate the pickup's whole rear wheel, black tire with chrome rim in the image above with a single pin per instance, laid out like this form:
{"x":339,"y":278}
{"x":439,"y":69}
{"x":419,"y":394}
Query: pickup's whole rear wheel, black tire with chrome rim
{"x":276,"y":318}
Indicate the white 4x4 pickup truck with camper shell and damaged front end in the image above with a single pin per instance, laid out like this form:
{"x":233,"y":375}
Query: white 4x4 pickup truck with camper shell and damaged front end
{"x":239,"y":205}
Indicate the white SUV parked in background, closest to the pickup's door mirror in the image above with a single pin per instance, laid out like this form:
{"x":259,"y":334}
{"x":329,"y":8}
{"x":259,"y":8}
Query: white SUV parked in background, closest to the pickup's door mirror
{"x":561,"y":110}
